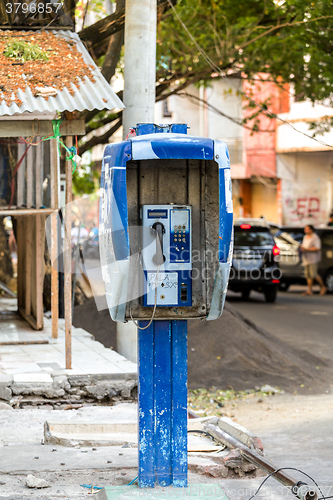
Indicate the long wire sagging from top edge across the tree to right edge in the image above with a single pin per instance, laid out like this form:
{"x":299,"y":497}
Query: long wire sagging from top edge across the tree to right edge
{"x":218,"y":70}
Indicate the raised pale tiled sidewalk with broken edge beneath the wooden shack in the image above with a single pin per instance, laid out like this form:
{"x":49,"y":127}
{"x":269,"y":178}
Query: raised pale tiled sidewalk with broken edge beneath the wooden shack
{"x":33,"y":364}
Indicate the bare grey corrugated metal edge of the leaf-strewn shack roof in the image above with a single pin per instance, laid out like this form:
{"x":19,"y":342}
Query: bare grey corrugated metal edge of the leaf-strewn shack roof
{"x":88,"y":95}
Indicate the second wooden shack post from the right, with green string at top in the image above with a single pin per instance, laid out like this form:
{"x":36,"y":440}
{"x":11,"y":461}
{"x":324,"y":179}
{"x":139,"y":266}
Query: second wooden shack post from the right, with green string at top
{"x":54,"y":237}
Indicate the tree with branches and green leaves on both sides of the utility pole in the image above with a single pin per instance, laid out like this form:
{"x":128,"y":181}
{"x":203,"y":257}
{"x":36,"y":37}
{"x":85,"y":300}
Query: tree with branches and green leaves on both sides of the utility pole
{"x":291,"y":40}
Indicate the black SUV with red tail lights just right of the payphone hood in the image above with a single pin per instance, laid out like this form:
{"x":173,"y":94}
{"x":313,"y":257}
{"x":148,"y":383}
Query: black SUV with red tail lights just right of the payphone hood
{"x":254,"y":262}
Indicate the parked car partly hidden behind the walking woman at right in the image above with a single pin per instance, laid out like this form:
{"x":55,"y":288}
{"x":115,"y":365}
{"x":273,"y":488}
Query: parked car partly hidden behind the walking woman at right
{"x":288,"y":239}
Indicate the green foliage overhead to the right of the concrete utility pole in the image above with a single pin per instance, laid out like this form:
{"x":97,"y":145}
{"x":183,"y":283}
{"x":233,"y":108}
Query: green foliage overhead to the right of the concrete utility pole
{"x":291,"y":40}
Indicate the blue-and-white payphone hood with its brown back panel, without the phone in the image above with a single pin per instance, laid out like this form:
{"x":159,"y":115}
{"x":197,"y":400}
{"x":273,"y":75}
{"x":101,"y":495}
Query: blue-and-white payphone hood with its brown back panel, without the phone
{"x":165,"y":169}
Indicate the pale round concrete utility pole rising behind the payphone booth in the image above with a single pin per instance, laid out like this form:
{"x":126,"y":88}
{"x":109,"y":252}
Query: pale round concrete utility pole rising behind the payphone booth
{"x":139,"y":99}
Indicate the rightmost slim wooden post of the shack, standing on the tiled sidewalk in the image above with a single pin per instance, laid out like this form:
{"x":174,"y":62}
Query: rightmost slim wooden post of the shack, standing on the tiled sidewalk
{"x":68,"y":259}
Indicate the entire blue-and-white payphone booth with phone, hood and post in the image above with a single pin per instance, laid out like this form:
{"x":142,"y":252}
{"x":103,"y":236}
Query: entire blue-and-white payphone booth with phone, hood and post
{"x":166,"y":246}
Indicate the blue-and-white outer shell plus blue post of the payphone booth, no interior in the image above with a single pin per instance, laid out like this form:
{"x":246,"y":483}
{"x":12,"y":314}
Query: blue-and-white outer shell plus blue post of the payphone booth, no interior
{"x":163,"y":346}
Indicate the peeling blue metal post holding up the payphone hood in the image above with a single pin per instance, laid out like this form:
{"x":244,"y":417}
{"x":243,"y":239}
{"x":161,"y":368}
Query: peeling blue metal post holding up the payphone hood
{"x":162,"y":395}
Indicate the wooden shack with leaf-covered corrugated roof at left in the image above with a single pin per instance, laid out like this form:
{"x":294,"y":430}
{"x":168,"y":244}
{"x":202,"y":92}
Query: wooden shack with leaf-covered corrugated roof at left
{"x":39,"y":100}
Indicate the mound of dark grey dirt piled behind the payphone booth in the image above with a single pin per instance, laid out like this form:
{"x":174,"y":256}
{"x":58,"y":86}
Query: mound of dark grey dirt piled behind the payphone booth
{"x":231,"y":353}
